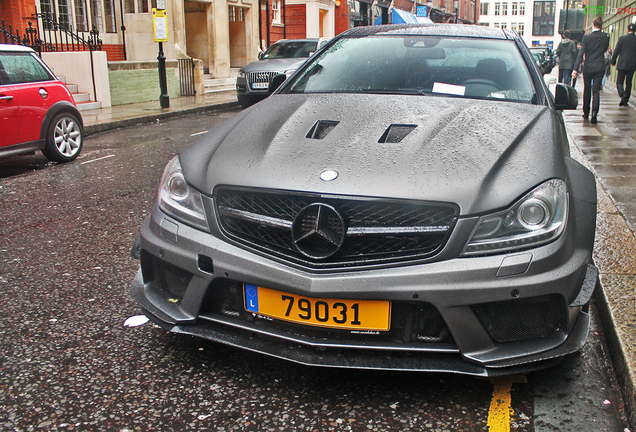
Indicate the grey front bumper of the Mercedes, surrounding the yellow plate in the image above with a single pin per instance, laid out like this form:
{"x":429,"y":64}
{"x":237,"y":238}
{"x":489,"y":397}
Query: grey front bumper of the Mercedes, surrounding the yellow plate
{"x":500,"y":314}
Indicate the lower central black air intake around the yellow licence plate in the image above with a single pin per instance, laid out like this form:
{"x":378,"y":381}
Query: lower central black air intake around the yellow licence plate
{"x":413,"y":324}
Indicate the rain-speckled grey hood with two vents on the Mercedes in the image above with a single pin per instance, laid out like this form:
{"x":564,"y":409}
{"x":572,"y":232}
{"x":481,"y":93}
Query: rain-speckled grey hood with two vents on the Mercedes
{"x":481,"y":155}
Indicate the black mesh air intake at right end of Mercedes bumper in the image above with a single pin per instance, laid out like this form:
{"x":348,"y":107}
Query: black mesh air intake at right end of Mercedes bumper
{"x":522,"y":319}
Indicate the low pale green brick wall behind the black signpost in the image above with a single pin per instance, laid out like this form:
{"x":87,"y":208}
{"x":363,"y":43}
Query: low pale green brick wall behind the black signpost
{"x":132,"y":82}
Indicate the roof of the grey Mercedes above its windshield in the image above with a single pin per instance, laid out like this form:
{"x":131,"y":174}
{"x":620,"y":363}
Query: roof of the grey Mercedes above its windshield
{"x":433,"y":29}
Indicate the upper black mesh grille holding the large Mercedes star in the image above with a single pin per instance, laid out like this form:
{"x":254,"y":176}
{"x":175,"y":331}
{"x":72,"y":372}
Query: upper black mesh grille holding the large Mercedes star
{"x":375,"y":231}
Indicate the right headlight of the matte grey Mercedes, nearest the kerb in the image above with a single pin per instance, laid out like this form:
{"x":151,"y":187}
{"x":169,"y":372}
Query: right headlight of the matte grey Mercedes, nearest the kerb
{"x":536,"y":219}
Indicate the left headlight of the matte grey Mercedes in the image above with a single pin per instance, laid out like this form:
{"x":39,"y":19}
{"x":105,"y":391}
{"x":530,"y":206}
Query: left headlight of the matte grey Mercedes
{"x":177,"y":199}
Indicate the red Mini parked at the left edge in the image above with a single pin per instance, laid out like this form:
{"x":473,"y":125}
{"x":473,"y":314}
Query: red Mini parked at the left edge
{"x":37,"y":111}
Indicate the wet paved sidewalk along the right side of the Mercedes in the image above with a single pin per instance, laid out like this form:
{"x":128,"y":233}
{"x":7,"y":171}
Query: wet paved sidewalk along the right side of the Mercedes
{"x":608,"y":148}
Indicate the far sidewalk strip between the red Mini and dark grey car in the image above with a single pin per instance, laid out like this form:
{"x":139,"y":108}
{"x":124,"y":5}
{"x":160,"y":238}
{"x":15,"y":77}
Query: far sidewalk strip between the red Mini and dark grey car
{"x":104,"y":119}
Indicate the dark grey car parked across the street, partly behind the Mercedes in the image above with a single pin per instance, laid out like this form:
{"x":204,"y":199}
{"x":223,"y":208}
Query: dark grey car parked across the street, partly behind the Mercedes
{"x":283,"y":57}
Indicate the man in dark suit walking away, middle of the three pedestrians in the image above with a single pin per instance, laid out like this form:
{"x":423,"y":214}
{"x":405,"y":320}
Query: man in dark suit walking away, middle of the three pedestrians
{"x":593,"y":47}
